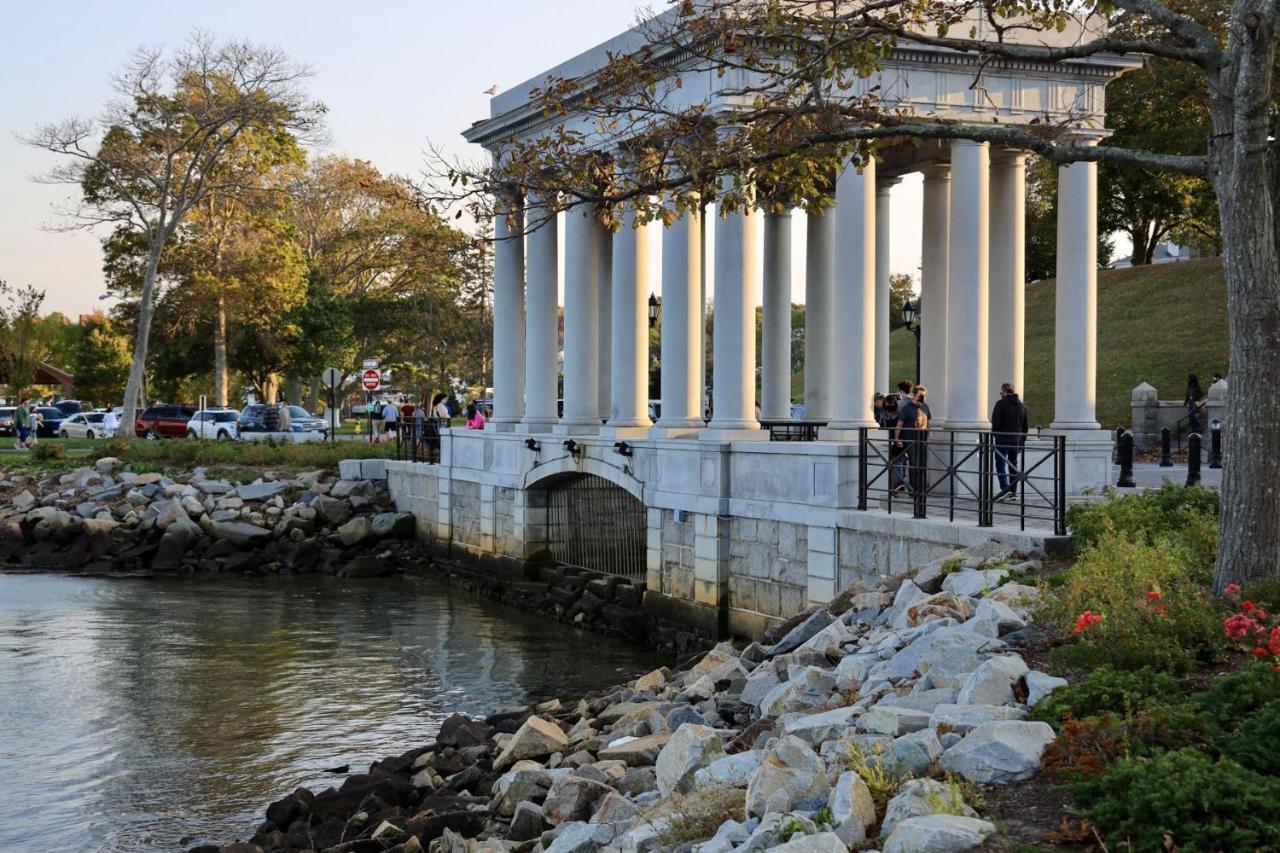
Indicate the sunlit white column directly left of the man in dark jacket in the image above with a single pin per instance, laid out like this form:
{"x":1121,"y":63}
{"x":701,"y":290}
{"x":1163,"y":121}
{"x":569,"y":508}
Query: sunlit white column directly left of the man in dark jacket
{"x":967,"y":288}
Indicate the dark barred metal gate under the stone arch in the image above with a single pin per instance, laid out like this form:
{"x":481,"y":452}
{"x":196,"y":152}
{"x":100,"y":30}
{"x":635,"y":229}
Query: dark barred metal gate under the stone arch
{"x":595,"y":524}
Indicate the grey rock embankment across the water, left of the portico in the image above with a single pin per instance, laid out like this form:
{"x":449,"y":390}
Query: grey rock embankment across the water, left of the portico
{"x":108,"y":519}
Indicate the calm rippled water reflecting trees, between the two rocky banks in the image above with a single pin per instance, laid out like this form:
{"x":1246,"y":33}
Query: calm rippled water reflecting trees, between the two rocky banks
{"x":136,"y":714}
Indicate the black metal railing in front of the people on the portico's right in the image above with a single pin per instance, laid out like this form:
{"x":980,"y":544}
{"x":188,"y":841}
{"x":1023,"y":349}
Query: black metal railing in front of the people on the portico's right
{"x":963,"y":475}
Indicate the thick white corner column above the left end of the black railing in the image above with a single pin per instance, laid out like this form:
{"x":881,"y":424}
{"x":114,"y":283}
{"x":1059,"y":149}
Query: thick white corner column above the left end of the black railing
{"x":854,"y":367}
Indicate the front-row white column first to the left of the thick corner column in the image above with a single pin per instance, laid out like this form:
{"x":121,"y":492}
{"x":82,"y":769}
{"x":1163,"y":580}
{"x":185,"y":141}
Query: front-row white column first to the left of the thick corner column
{"x":738,"y":291}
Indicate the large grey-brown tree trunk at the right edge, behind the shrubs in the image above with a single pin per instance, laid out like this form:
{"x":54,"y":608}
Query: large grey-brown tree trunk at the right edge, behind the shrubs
{"x":1246,"y":188}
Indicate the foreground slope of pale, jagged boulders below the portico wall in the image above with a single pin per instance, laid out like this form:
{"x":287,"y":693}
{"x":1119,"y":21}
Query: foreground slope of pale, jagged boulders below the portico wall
{"x":915,"y":687}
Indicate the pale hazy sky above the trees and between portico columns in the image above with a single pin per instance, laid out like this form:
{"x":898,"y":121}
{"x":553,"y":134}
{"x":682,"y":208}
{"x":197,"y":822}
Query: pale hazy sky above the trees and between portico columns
{"x":397,"y":76}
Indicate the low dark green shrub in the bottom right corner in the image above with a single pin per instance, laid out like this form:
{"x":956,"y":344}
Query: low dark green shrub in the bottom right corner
{"x":1199,"y":804}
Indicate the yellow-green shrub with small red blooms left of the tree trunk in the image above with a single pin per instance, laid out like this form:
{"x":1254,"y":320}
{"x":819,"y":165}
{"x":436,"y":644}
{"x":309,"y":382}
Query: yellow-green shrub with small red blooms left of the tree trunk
{"x":1133,"y":604}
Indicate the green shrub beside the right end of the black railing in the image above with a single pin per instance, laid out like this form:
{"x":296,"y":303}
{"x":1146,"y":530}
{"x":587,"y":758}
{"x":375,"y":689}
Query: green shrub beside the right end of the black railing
{"x":1176,"y":513}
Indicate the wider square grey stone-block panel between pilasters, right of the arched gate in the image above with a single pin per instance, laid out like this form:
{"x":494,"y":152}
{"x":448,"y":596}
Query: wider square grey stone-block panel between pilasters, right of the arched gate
{"x":767,"y":567}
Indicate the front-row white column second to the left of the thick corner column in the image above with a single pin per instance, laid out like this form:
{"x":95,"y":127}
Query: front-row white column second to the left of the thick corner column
{"x":682,"y":300}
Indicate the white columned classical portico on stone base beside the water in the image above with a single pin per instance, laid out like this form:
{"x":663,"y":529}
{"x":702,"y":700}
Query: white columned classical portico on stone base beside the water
{"x":740,"y":531}
